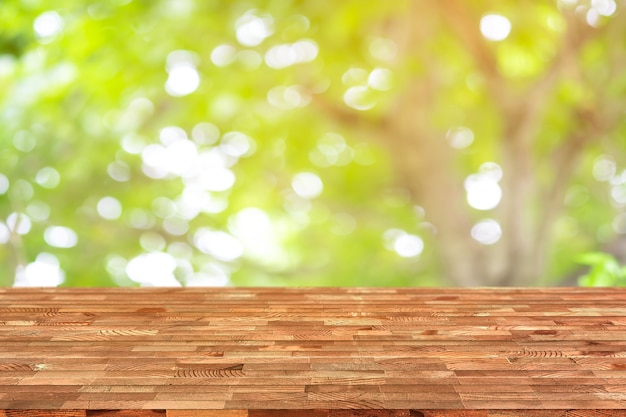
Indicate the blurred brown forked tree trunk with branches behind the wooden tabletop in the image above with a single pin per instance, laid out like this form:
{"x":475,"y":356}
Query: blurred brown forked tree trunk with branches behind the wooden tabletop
{"x":425,"y":167}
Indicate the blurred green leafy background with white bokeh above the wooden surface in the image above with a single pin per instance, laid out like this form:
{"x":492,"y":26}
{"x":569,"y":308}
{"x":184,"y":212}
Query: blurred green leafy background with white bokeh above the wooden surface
{"x":312,"y":142}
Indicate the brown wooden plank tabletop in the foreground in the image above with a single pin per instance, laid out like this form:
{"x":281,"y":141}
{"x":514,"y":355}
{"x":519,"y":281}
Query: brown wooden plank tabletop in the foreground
{"x":257,"y":352}
